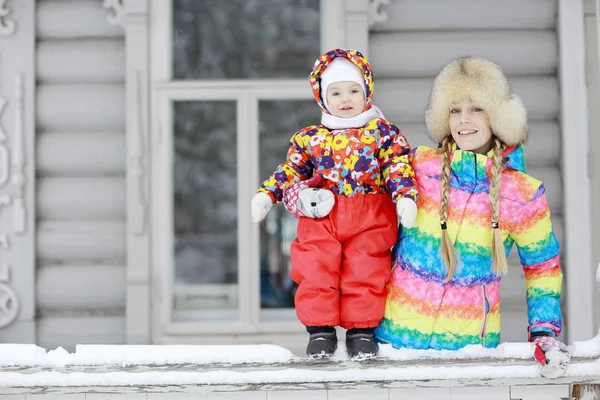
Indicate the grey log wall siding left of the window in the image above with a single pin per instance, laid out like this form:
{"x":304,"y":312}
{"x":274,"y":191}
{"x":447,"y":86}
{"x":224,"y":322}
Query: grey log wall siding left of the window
{"x":80,"y":158}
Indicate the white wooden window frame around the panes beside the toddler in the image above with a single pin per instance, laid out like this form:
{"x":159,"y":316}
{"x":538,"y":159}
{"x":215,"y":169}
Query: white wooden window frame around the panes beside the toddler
{"x":163,"y":91}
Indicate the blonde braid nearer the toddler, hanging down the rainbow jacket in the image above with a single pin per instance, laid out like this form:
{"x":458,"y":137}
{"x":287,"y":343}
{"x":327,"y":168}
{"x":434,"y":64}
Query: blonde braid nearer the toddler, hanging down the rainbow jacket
{"x":447,"y":249}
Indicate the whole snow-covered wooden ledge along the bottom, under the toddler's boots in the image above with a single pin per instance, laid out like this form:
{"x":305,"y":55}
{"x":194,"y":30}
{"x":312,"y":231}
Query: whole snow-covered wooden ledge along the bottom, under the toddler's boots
{"x":272,"y":372}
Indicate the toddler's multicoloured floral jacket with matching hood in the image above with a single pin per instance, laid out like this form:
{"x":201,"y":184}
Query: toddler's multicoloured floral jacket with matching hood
{"x":371,"y":159}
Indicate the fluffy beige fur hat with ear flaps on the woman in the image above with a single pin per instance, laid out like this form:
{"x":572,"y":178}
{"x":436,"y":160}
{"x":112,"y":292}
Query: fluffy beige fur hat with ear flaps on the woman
{"x":483,"y":83}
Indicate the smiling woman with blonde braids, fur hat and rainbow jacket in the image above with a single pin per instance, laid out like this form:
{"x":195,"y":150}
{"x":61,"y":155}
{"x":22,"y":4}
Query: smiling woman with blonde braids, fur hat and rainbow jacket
{"x":476,"y":201}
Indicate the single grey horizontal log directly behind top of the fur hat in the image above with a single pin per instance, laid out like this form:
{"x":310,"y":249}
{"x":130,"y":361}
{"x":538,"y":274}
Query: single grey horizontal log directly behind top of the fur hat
{"x":511,"y":49}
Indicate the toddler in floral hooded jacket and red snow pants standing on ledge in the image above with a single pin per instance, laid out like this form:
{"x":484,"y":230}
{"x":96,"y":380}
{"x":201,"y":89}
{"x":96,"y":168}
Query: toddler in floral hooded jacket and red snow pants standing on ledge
{"x":341,"y":257}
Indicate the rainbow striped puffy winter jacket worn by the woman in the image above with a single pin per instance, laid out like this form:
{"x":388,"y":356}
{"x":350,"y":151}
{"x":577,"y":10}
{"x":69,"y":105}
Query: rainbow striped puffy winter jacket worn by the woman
{"x":421,"y":311}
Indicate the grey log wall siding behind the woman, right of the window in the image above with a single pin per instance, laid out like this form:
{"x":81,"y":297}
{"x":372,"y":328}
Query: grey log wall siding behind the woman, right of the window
{"x":421,"y":36}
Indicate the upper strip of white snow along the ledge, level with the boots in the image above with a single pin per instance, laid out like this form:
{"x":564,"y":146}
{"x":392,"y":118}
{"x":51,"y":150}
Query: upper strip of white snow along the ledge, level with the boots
{"x":129,"y":355}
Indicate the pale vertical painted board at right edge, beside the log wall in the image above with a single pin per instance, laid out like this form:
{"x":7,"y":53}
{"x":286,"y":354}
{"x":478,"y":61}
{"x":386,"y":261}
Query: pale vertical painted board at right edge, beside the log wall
{"x":574,"y":123}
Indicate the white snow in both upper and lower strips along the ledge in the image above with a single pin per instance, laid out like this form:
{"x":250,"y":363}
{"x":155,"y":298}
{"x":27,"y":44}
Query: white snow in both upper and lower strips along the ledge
{"x":256,"y":364}
